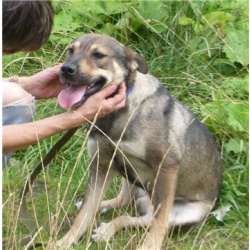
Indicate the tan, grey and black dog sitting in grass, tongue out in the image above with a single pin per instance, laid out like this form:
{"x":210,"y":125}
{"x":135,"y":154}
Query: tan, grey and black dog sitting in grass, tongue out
{"x":169,"y":160}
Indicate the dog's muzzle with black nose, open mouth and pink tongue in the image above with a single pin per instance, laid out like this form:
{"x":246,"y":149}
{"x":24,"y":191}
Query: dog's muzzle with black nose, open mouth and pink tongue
{"x":80,"y":86}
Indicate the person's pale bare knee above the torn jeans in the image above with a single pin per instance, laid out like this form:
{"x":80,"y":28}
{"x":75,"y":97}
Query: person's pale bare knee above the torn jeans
{"x":11,"y":93}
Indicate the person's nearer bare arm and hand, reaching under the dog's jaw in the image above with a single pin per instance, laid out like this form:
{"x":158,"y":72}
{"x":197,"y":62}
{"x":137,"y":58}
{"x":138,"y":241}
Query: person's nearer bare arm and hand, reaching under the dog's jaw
{"x":15,"y":137}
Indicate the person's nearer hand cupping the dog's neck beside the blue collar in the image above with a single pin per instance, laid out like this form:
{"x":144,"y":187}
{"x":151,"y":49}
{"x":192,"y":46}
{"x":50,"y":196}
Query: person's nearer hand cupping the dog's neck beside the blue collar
{"x":101,"y":104}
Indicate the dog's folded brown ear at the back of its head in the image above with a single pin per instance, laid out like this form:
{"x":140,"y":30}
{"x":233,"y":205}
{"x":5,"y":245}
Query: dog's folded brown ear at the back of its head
{"x":136,"y":61}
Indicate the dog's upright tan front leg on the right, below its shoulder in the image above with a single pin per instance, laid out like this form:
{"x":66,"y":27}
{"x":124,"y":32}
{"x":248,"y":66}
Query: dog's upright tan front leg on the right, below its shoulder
{"x":163,"y":194}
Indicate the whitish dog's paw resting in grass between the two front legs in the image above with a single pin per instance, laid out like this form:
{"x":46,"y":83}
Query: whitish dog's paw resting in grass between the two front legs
{"x":104,"y":232}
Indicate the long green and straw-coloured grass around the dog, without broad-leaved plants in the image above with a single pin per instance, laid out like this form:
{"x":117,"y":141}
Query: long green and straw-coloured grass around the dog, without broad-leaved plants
{"x":192,"y":76}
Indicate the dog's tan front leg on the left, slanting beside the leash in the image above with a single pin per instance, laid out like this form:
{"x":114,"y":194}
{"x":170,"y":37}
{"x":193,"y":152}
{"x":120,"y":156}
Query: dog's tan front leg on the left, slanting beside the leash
{"x":97,"y":186}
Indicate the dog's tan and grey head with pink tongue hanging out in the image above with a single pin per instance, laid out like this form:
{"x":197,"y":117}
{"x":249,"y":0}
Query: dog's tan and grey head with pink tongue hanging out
{"x":92,"y":62}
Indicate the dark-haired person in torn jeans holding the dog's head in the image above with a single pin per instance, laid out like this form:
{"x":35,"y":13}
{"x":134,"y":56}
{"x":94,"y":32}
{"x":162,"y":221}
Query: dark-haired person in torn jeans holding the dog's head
{"x":26,"y":27}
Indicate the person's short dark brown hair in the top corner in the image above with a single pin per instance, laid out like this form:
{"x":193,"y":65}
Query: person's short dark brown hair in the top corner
{"x":26,"y":24}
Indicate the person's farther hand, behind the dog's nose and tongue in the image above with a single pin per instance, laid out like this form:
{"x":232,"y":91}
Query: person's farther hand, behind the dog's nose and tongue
{"x":43,"y":85}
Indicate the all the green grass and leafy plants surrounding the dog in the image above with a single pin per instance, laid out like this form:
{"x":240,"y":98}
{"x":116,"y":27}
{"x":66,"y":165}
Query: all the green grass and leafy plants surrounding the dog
{"x":189,"y":58}
